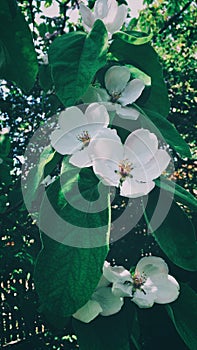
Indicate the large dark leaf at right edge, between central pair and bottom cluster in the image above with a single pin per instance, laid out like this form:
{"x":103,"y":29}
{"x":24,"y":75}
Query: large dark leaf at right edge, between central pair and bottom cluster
{"x":175,"y":235}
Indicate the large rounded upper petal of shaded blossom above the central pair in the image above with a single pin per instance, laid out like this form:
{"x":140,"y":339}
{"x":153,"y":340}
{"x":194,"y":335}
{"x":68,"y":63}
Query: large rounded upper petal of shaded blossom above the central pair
{"x":116,"y":79}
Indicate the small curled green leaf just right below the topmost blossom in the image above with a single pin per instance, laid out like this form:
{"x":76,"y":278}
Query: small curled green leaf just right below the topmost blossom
{"x":133,"y":37}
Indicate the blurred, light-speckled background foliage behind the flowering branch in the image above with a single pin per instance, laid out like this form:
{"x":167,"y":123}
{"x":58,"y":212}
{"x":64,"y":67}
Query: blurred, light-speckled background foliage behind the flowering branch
{"x":172,"y":24}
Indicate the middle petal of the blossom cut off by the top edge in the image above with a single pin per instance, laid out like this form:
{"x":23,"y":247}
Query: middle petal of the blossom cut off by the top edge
{"x":103,"y":7}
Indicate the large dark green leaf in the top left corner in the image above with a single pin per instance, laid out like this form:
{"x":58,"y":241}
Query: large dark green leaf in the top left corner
{"x":18,"y":61}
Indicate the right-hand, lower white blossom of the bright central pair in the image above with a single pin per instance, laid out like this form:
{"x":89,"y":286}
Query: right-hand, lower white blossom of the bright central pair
{"x":131,"y":166}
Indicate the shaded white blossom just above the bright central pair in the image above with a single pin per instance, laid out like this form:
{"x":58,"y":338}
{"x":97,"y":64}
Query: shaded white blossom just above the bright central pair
{"x":119,"y":93}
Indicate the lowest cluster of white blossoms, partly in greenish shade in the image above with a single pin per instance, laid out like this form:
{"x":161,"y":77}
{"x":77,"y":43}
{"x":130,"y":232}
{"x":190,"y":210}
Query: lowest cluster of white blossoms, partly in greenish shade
{"x":149,"y":284}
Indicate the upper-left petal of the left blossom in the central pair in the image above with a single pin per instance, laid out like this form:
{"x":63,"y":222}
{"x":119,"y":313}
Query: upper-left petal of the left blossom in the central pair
{"x":71,"y":118}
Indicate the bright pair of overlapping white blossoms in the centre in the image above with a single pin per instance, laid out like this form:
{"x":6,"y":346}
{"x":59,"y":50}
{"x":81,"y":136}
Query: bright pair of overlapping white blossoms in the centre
{"x":131,"y":166}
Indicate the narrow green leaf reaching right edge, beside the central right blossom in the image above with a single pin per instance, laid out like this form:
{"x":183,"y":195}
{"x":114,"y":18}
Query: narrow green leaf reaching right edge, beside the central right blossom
{"x":179,"y":193}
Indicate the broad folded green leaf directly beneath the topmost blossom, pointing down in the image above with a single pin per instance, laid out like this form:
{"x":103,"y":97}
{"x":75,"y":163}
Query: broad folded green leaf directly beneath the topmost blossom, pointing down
{"x":75,"y":58}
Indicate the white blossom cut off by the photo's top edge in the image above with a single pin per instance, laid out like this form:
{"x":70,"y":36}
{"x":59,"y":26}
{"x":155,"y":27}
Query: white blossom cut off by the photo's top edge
{"x":112,"y":15}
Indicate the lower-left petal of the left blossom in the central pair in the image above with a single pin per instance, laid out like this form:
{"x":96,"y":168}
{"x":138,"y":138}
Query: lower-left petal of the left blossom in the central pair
{"x":63,"y":142}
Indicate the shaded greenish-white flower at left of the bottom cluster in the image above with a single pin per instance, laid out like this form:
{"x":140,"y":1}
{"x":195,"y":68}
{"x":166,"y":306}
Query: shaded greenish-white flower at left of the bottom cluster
{"x":103,"y":302}
